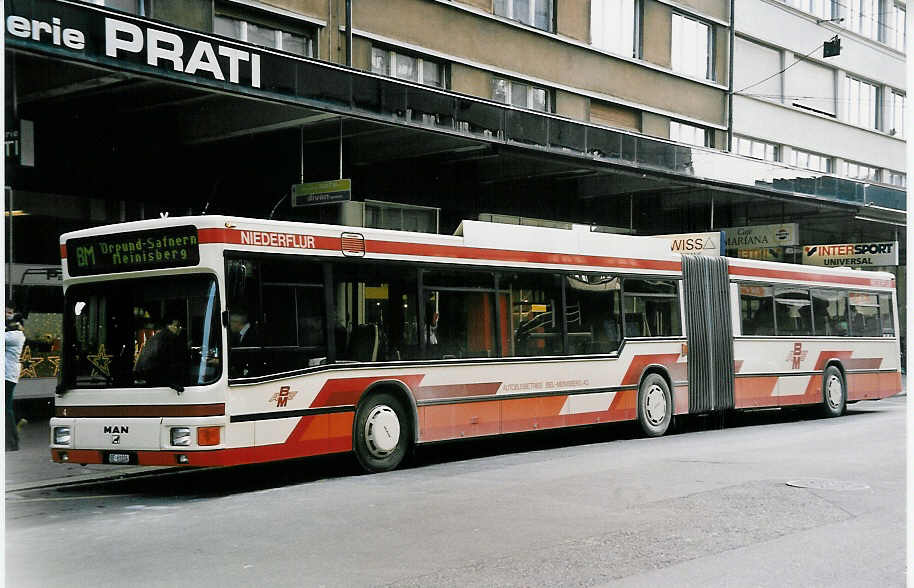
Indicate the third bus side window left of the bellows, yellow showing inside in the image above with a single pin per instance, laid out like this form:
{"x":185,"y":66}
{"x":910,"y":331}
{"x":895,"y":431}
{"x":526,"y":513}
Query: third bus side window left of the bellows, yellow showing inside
{"x":536,"y":313}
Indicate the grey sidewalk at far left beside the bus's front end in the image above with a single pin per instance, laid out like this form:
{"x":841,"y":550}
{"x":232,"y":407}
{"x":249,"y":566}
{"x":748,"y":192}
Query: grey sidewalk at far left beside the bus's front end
{"x":31,"y":466}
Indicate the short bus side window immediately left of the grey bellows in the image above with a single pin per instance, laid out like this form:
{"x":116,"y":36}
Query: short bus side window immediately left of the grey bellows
{"x":651,"y":308}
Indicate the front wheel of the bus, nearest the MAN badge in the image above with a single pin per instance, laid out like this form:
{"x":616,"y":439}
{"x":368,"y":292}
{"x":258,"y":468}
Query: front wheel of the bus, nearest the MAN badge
{"x":381,"y":435}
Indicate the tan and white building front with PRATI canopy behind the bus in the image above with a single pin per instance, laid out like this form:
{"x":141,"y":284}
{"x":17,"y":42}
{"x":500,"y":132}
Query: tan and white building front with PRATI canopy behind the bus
{"x":610,"y":113}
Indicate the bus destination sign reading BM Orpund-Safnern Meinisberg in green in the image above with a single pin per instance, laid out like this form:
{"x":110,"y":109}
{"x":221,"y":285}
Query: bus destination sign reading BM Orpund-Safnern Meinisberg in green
{"x":135,"y":251}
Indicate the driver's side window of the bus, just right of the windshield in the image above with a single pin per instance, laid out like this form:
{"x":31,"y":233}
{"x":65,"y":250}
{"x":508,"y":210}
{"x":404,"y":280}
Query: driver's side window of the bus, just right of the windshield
{"x":276,"y":316}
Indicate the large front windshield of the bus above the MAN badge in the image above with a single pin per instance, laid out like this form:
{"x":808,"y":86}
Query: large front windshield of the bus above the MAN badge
{"x":143,"y":332}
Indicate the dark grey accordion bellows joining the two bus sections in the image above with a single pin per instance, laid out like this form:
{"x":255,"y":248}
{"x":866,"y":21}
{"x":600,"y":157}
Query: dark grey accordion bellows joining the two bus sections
{"x":706,"y":293}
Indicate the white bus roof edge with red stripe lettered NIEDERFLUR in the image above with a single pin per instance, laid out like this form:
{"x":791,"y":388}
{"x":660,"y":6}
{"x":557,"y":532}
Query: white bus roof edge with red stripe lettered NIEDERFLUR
{"x":477,"y":243}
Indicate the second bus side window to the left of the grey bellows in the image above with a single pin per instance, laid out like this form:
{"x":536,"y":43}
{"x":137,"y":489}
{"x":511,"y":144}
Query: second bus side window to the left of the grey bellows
{"x":594,"y":302}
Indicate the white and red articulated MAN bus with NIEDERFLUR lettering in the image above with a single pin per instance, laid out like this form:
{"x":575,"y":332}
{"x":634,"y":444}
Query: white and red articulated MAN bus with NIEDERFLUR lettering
{"x":211,"y":340}
